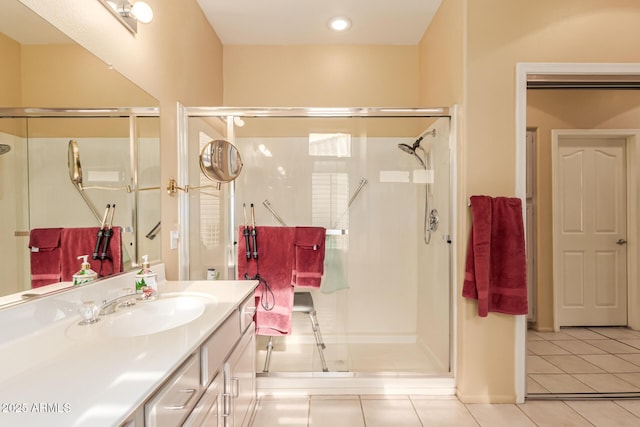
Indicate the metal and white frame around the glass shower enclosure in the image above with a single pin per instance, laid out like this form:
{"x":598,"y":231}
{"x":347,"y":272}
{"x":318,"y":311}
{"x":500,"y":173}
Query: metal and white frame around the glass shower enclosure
{"x":332,"y":382}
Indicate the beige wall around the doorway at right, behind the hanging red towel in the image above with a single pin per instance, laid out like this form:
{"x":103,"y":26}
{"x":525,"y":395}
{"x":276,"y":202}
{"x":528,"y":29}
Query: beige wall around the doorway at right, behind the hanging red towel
{"x":499,"y":34}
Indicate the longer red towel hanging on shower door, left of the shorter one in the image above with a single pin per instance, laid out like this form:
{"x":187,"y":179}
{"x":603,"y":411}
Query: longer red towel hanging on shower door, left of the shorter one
{"x":274,"y":264}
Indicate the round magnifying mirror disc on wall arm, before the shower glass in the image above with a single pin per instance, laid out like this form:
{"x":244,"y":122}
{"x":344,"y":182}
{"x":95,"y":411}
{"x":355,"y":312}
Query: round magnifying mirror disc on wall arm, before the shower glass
{"x":220,"y":161}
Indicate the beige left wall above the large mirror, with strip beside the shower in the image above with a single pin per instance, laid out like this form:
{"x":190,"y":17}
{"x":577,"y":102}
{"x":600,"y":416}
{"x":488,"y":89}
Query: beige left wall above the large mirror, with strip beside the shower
{"x":175,"y":58}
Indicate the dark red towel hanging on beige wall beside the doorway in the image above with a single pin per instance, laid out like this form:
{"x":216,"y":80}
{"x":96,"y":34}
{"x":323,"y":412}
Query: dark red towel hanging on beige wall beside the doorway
{"x":496,"y":272}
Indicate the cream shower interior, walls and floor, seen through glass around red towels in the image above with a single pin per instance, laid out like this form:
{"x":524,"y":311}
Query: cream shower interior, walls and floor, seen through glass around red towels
{"x":398,"y":296}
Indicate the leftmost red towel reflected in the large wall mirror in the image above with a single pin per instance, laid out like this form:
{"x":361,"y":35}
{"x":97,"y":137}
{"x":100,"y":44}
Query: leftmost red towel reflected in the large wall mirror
{"x":44,"y":244}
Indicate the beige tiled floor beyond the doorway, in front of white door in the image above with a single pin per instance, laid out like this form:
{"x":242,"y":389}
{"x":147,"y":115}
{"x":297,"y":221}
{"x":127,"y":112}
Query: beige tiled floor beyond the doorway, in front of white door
{"x":583,"y":360}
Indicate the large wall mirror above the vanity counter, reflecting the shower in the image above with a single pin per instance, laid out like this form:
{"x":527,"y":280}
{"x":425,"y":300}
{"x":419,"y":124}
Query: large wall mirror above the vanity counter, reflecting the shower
{"x":53,"y":91}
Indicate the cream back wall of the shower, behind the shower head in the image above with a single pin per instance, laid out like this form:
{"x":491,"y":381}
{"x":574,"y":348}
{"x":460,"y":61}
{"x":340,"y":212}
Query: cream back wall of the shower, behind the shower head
{"x":381,"y":262}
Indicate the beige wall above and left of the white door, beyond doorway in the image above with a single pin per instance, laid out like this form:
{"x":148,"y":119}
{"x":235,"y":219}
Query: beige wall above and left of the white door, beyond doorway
{"x":565,"y":109}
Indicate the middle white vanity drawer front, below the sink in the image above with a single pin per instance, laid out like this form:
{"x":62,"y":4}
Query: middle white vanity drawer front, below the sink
{"x":217,"y":347}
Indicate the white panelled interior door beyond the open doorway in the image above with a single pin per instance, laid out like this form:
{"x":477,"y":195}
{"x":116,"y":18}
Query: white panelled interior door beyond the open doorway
{"x":590,"y":220}
